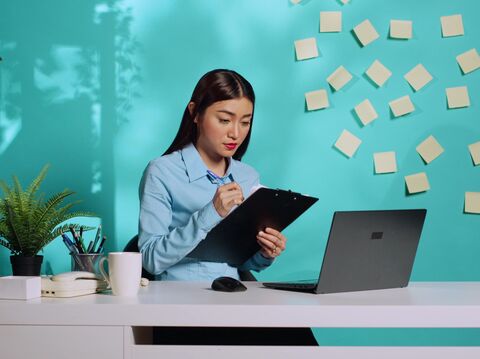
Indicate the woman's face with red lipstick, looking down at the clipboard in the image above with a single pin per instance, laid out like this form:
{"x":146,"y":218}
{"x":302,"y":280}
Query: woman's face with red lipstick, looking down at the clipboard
{"x":223,"y":127}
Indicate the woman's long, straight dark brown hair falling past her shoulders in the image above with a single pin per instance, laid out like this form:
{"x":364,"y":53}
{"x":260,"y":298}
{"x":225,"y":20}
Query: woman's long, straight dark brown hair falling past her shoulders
{"x":214,"y":86}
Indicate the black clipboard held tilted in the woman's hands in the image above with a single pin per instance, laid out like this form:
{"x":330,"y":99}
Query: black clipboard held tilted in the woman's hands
{"x":233,"y":240}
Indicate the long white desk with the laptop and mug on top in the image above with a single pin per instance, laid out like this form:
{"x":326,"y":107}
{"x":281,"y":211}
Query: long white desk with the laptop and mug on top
{"x":102,"y":324}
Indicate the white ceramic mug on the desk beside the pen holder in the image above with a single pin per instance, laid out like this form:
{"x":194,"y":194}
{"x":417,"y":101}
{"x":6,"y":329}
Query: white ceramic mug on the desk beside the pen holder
{"x":125,"y":272}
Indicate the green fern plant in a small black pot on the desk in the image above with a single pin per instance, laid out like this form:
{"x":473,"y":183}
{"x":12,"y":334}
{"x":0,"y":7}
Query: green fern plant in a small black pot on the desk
{"x":28,"y":222}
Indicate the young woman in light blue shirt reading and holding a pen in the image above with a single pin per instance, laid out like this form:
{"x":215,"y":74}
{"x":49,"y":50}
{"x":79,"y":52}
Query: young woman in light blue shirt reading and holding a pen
{"x":199,"y":180}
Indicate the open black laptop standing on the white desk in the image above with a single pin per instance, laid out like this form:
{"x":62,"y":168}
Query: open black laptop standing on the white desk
{"x":366,"y":250}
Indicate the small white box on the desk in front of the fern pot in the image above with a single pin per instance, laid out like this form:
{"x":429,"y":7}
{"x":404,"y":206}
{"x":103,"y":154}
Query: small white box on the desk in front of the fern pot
{"x":19,"y":287}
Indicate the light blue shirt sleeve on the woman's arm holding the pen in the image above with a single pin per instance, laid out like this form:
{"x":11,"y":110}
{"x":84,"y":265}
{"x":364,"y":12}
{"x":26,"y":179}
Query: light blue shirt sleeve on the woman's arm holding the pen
{"x":161,"y":248}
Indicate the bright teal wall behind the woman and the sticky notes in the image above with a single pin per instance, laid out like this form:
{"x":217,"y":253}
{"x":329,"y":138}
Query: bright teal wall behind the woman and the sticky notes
{"x":97,"y":89}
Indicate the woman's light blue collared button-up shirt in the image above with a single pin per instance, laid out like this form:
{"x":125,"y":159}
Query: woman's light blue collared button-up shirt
{"x":177,"y":212}
